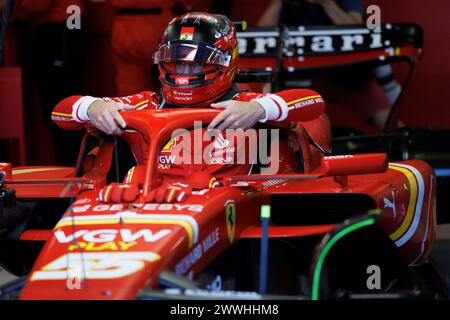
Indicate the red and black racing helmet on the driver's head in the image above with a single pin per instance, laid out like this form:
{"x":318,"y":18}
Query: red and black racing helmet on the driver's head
{"x":197,"y":59}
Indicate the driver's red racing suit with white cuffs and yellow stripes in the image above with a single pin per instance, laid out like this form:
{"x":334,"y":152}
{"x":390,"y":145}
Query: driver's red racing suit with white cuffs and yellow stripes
{"x":288,"y":105}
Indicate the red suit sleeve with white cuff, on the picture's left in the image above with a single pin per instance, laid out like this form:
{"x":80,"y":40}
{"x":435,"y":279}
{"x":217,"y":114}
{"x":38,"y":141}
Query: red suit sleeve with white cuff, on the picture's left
{"x":71,"y":113}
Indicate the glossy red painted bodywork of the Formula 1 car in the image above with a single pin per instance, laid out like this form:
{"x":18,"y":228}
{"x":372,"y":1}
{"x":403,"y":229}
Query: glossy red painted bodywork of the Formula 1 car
{"x":198,"y":226}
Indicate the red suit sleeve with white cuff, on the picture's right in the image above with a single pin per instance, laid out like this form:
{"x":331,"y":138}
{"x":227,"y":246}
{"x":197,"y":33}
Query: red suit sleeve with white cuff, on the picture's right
{"x":288,"y":105}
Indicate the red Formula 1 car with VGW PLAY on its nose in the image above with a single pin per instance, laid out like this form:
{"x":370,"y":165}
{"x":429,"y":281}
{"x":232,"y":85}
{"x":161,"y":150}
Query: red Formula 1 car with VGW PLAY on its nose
{"x":322,"y":227}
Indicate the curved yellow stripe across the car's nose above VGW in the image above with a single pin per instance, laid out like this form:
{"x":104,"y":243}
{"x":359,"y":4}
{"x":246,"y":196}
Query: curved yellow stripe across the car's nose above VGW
{"x":186,"y":226}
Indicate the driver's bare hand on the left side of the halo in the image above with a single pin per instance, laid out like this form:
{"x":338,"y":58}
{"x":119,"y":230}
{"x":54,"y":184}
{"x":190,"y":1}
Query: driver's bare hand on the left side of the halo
{"x":105,"y":116}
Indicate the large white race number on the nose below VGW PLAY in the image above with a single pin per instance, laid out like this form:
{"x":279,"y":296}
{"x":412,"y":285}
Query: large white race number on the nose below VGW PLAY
{"x":96,"y":265}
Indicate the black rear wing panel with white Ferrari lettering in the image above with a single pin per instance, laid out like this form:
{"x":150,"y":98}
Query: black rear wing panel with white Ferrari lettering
{"x":298,"y":41}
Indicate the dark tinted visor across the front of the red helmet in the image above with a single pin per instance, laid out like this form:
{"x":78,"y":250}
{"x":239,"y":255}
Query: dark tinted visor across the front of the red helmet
{"x":192,"y":52}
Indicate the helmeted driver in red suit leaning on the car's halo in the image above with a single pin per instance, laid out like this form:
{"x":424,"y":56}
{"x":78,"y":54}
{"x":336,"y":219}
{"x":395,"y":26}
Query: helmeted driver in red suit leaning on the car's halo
{"x":197,"y":59}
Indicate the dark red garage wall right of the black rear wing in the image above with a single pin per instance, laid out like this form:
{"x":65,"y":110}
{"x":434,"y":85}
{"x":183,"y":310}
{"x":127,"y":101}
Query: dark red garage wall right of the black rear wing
{"x":427,"y":102}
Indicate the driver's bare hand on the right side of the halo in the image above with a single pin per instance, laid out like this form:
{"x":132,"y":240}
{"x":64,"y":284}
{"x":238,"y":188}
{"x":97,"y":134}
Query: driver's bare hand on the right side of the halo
{"x":237,"y":115}
